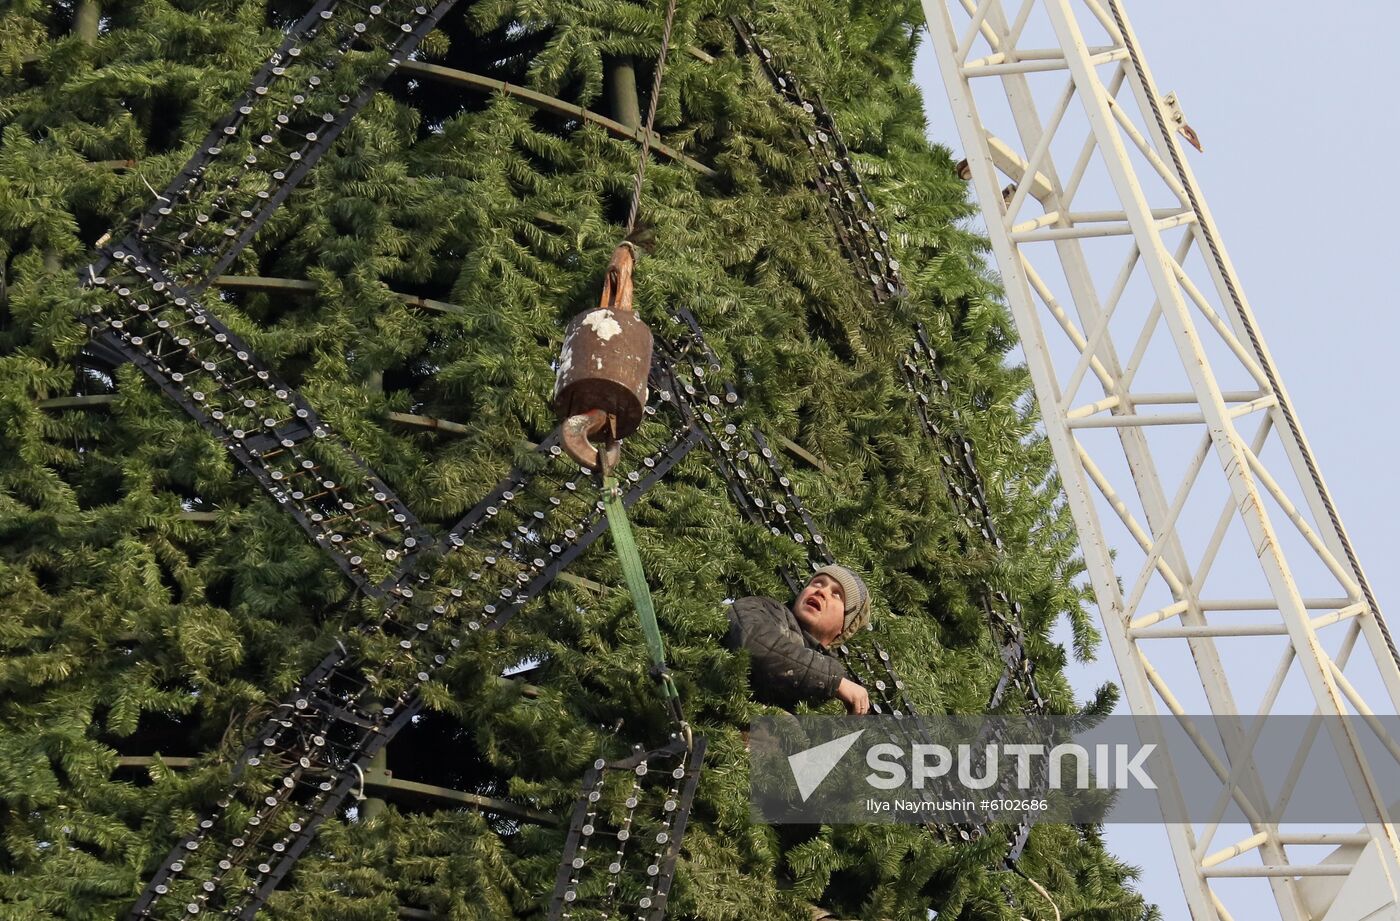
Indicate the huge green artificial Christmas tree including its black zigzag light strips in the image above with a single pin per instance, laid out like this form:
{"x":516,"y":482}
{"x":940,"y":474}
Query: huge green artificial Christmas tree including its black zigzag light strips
{"x":409,"y":296}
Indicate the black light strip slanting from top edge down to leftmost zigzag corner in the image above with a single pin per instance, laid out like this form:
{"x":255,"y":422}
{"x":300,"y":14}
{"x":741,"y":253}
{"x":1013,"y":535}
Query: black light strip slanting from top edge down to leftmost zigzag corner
{"x":265,"y":146}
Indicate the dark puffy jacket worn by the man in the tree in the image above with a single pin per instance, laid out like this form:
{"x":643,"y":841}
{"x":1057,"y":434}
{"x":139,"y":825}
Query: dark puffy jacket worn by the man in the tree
{"x":786,"y":664}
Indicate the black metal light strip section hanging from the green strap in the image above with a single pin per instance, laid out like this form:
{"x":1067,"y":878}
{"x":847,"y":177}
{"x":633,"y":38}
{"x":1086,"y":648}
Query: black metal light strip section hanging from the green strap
{"x":626,"y":866}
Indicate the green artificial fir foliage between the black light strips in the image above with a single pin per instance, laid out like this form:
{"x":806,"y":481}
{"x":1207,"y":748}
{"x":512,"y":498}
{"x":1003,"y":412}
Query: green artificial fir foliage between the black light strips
{"x":157,"y":601}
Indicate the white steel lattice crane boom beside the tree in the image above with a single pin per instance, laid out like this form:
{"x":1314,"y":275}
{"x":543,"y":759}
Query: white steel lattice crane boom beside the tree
{"x":1102,"y":215}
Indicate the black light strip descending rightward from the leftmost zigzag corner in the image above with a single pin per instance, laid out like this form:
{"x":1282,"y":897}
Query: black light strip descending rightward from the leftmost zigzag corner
{"x":262,"y":421}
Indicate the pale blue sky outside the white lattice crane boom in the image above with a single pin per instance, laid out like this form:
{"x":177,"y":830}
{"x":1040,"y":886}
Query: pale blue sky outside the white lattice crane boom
{"x":1298,"y":125}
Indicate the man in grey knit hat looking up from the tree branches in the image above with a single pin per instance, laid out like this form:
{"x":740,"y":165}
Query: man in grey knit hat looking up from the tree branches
{"x":789,"y":659}
